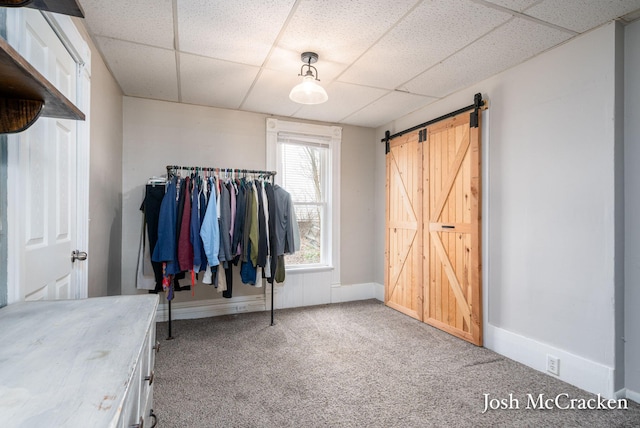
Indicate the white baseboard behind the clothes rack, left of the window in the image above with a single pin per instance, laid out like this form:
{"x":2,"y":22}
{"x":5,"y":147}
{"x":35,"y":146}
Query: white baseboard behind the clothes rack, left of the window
{"x":211,"y":308}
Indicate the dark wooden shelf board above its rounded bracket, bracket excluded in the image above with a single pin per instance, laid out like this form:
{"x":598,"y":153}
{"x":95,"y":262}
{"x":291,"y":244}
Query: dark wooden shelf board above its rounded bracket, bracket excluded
{"x":20,"y":80}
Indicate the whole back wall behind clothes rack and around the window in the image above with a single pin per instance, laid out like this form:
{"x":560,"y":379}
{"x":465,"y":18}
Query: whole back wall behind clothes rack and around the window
{"x":159,"y":133}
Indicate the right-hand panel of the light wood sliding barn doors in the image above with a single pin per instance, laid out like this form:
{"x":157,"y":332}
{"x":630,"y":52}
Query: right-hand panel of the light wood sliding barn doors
{"x":452,"y":229}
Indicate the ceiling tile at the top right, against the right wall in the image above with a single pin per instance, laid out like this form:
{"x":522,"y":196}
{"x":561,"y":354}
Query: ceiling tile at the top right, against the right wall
{"x":576,"y":16}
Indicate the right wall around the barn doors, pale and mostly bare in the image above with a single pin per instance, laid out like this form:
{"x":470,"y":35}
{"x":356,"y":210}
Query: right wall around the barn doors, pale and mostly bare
{"x":549,"y":203}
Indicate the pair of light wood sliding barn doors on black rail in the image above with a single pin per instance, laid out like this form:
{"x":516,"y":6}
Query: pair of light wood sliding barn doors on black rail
{"x":433,"y":226}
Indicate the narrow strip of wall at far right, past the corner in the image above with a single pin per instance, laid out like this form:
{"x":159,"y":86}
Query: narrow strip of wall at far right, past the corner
{"x":632,"y":213}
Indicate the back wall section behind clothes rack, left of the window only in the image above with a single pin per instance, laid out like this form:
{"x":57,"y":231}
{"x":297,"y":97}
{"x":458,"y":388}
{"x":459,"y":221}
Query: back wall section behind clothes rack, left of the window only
{"x":157,"y":134}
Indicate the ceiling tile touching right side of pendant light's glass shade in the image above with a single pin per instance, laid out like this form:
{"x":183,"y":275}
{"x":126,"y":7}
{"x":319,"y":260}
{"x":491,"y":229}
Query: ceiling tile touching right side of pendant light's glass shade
{"x":344,"y":99}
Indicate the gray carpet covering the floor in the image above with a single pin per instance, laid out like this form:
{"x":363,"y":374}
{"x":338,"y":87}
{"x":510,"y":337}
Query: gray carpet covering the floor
{"x":357,"y":364}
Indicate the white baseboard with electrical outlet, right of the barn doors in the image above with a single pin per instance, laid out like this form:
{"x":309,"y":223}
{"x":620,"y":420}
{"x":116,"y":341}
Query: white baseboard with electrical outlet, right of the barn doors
{"x":578,"y":371}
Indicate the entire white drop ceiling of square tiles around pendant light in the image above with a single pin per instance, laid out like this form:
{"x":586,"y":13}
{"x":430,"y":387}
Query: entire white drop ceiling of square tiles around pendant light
{"x":379,"y":59}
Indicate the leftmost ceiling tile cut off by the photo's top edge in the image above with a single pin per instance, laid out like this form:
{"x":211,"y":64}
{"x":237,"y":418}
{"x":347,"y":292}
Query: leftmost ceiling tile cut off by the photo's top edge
{"x":143,"y":21}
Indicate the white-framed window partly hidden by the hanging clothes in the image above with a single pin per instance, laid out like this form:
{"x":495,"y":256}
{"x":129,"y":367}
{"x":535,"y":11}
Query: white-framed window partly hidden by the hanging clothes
{"x":306,"y":158}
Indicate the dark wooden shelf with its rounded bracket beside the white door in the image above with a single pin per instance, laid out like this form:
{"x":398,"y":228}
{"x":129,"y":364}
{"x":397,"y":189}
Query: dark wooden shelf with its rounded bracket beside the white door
{"x":25,"y":94}
